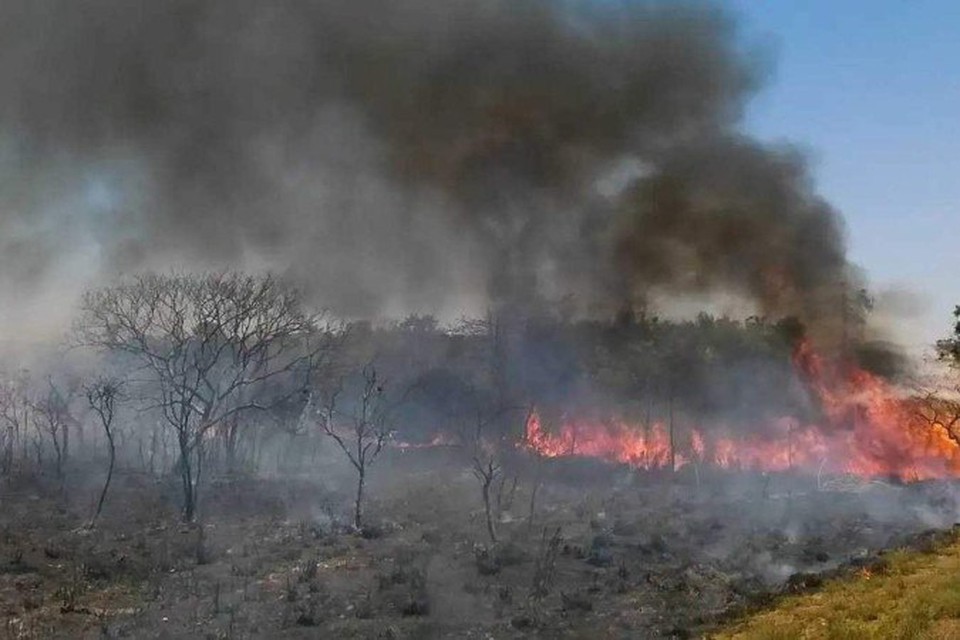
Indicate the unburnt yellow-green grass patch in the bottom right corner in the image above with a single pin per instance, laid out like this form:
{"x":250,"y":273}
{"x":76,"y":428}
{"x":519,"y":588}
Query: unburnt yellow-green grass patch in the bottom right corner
{"x":916,"y":595}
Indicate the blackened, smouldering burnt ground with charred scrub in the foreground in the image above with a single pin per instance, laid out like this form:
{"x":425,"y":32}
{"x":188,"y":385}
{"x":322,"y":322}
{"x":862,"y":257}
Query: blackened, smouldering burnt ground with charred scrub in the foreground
{"x":611,"y":552}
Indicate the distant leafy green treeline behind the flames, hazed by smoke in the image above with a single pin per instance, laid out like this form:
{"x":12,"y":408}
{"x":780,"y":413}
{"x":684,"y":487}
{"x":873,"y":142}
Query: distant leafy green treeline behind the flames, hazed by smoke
{"x":634,"y":367}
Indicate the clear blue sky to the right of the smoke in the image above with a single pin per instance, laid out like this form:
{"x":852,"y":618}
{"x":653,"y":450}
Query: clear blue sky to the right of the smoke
{"x":871,"y":89}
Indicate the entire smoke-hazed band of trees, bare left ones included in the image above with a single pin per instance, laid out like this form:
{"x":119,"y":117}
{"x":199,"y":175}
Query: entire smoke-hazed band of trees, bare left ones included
{"x":227,"y":373}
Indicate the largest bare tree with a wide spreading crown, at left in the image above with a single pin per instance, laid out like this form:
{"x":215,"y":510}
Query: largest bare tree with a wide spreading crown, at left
{"x":208,"y":348}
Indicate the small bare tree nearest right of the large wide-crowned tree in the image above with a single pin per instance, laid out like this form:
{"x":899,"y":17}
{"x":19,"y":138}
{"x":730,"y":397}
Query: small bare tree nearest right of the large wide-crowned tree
{"x":361,"y":431}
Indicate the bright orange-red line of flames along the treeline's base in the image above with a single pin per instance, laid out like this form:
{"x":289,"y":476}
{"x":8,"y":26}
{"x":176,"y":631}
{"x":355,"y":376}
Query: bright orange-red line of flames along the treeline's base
{"x":868,"y":429}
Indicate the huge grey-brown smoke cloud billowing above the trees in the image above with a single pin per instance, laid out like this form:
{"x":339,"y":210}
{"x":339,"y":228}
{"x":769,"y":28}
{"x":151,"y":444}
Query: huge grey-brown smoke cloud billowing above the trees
{"x":397,"y":156}
